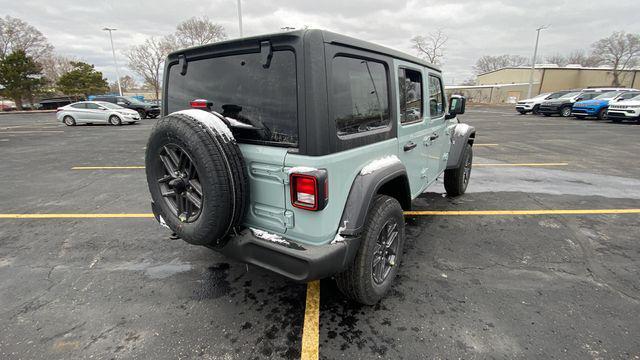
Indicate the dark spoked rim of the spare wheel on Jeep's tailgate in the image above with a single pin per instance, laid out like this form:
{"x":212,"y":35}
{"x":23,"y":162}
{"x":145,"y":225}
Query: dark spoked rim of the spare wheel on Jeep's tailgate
{"x":180,"y":183}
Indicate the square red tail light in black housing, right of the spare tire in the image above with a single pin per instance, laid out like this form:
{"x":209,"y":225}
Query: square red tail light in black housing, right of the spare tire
{"x":309,"y":190}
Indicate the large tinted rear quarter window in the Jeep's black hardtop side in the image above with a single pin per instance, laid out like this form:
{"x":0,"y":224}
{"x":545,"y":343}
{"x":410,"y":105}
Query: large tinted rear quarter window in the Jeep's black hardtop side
{"x":359,"y":96}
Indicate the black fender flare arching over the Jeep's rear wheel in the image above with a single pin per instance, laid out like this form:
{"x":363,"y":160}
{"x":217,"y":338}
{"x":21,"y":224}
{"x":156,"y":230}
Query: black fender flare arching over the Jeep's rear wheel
{"x":363,"y":191}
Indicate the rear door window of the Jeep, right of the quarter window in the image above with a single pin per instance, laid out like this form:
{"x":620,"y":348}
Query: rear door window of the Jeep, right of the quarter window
{"x":411,"y":100}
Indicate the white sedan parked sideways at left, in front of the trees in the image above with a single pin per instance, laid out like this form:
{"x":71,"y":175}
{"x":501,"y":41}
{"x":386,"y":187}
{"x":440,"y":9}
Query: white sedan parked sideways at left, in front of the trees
{"x":96,"y":112}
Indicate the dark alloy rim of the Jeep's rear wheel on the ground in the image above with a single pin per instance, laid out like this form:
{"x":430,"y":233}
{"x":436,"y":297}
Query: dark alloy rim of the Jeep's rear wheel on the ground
{"x":385,"y":252}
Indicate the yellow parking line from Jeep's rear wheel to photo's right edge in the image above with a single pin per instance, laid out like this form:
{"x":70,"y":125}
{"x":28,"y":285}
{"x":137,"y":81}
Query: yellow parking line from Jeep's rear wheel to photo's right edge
{"x":521,"y":212}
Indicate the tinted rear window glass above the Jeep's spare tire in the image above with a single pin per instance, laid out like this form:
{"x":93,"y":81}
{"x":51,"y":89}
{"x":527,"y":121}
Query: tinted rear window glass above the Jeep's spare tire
{"x":242,"y":89}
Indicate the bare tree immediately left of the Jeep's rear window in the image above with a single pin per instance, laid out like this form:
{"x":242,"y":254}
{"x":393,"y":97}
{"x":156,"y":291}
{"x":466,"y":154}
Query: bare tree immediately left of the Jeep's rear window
{"x":147,"y":60}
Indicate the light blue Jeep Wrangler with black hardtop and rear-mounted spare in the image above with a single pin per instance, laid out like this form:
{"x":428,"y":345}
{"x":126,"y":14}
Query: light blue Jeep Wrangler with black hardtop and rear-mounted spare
{"x":298,"y":152}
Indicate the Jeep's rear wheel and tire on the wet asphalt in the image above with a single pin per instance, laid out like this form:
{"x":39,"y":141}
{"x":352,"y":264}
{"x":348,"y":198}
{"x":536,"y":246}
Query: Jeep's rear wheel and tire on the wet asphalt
{"x":375,"y":266}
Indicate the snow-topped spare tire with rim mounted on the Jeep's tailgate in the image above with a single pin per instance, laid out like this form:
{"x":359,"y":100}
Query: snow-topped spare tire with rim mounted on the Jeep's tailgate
{"x":197,"y":176}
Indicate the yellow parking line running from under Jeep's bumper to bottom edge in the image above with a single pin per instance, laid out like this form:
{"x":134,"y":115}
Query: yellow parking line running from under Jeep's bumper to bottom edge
{"x":311,"y":329}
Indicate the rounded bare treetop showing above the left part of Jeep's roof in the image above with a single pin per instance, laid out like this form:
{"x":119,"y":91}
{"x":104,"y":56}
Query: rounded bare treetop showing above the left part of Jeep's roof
{"x":199,"y":31}
